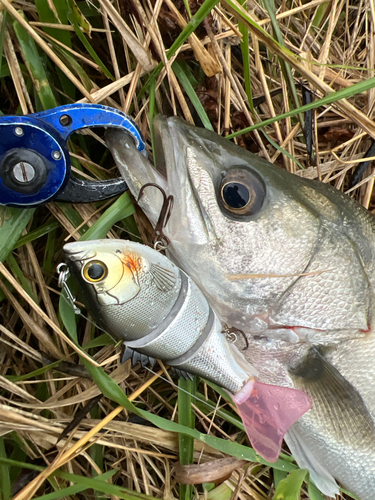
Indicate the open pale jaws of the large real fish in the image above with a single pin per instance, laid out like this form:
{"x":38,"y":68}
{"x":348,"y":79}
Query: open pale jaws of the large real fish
{"x":173,"y":140}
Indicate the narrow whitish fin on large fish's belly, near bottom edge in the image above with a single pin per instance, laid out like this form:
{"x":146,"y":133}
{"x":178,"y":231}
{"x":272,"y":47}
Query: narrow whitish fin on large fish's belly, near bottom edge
{"x":306,"y":460}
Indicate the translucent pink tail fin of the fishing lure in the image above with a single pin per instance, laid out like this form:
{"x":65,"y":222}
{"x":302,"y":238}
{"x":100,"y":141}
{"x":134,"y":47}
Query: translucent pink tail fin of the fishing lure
{"x":267,"y":411}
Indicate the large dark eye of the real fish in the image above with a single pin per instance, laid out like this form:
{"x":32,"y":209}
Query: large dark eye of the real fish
{"x":241,"y":193}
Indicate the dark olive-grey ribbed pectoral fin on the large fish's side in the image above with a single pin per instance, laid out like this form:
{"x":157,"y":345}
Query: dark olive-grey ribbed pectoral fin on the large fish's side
{"x":339,"y":401}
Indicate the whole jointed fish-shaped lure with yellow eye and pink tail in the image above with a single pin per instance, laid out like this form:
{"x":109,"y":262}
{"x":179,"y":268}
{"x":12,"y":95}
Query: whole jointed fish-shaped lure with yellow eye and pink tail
{"x":139,"y":296}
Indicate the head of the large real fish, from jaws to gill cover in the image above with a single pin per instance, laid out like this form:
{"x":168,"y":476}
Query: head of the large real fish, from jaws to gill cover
{"x":245,"y":230}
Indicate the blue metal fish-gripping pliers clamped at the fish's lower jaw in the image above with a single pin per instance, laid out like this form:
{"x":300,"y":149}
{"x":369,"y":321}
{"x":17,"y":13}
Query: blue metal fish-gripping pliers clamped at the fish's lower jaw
{"x":34,"y":159}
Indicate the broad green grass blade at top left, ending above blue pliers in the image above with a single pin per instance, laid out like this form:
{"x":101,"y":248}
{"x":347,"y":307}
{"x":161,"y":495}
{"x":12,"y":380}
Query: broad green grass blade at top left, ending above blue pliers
{"x":31,"y":54}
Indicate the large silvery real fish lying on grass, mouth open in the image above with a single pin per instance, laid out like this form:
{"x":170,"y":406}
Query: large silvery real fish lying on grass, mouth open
{"x":289,"y":262}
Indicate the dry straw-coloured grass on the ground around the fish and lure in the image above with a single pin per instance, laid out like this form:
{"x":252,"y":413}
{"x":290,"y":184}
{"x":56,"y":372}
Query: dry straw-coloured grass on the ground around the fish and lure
{"x":326,"y":46}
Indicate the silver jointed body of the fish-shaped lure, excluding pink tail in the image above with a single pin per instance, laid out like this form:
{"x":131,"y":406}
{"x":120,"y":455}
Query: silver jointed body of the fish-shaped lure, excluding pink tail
{"x":141,"y":297}
